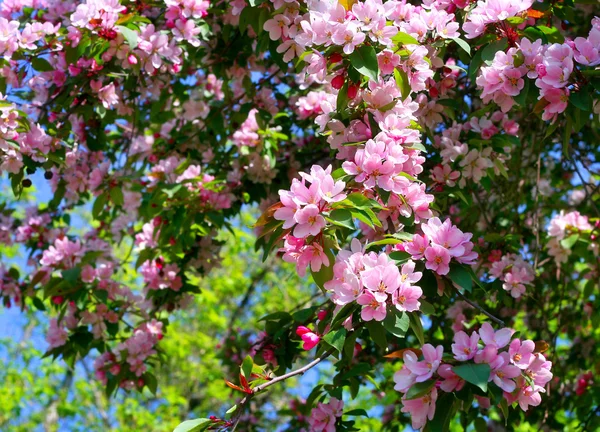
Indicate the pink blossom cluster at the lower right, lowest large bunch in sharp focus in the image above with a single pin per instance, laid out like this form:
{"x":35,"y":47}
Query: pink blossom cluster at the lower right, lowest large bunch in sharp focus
{"x":515,"y":367}
